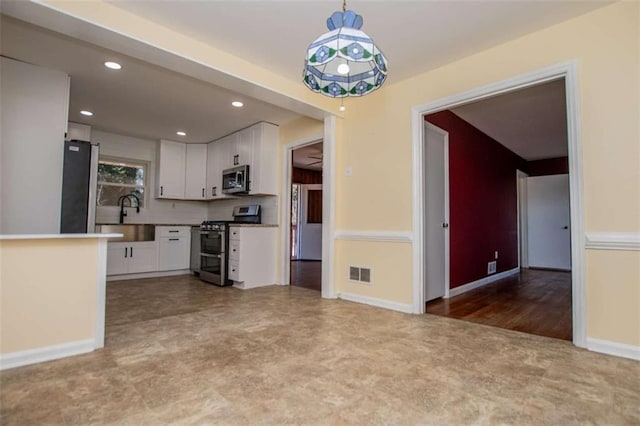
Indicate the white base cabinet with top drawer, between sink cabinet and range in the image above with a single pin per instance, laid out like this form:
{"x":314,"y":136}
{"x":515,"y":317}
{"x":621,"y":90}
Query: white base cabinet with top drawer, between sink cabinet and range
{"x":174,"y":246}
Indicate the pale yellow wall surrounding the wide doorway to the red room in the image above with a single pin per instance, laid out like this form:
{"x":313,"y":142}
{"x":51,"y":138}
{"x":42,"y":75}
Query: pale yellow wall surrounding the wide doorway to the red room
{"x":604,"y":45}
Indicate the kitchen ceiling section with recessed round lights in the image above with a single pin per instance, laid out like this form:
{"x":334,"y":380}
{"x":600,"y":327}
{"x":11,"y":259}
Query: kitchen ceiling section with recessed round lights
{"x":140,"y":99}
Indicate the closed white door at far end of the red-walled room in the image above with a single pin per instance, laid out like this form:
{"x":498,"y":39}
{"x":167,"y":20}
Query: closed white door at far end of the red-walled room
{"x":548,"y":219}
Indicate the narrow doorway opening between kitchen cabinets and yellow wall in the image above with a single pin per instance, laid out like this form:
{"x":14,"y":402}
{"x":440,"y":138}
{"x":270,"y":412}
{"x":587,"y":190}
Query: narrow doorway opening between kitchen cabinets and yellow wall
{"x":306,"y":217}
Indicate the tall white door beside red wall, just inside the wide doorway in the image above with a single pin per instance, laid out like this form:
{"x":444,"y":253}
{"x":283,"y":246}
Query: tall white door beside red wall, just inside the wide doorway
{"x":437,"y":212}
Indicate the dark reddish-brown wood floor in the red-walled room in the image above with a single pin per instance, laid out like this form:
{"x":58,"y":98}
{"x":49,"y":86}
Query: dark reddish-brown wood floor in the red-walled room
{"x":535,"y":301}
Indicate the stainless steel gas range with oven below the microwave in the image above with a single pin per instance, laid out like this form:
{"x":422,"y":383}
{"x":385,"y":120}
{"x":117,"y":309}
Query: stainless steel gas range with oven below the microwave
{"x":214,"y":244}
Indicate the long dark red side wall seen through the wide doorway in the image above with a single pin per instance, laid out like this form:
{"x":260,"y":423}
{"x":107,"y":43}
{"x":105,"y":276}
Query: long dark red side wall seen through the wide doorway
{"x":482,"y":200}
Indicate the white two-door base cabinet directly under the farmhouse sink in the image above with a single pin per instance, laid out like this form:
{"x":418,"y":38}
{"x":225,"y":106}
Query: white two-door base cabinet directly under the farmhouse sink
{"x":132,"y":258}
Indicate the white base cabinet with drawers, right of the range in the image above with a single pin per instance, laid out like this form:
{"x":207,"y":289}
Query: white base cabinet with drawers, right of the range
{"x":252,"y":256}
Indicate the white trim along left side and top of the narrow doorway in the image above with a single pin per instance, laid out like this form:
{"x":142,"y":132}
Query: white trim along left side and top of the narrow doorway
{"x":285,"y":211}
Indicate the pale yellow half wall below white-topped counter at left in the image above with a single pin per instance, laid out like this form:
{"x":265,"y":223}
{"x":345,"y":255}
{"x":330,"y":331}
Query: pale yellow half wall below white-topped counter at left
{"x":47,"y":292}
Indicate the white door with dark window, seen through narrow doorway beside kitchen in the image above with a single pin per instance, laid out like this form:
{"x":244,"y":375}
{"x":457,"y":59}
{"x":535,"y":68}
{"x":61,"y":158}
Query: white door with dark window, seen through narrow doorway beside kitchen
{"x":310,"y":223}
